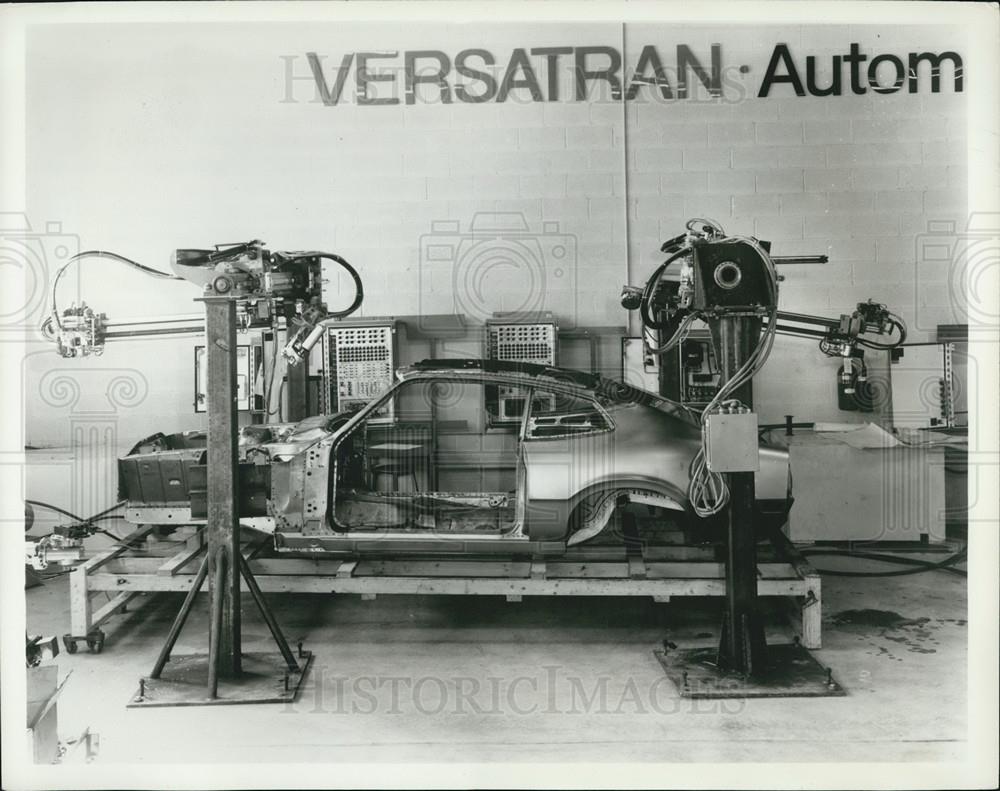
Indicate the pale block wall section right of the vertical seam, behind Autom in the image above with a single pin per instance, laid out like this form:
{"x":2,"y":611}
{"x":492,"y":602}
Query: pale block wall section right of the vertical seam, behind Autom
{"x":857,"y":177}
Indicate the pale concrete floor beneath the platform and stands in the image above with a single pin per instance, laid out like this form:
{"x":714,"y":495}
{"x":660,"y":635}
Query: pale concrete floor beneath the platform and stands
{"x":478,"y":679}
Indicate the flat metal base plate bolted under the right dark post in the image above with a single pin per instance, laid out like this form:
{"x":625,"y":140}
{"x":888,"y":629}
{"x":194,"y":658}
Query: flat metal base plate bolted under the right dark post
{"x":791,"y":672}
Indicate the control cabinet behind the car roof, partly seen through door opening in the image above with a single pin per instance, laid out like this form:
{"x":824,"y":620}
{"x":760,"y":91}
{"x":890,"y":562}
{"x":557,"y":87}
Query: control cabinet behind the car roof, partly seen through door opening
{"x":517,"y":341}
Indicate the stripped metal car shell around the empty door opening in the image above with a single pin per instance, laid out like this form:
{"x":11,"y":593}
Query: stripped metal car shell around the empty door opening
{"x":642,"y":453}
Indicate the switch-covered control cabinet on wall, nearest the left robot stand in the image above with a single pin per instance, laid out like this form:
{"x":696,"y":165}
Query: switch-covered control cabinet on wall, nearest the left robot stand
{"x":359,"y":365}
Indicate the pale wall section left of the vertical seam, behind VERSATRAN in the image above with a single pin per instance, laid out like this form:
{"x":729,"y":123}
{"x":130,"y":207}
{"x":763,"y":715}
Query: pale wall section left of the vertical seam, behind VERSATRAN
{"x":157,"y":152}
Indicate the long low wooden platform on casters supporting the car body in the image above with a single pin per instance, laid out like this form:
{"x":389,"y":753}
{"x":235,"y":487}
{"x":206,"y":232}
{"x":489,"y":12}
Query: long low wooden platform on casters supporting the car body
{"x":145,"y":563}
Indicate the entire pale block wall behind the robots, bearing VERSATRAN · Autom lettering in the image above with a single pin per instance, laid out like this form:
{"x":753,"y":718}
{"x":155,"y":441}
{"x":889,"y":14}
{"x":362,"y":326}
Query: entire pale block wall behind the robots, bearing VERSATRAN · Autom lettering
{"x":187,"y":136}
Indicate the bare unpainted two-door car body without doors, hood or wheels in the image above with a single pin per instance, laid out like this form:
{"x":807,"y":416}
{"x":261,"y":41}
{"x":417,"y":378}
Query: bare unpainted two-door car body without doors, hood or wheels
{"x":613,"y":445}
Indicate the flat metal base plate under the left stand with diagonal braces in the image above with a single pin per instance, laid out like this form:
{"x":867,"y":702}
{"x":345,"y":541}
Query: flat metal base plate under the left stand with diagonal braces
{"x":265,"y":678}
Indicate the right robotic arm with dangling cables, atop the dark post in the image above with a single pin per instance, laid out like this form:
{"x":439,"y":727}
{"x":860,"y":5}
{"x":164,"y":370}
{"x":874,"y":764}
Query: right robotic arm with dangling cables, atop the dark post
{"x":730,"y":283}
